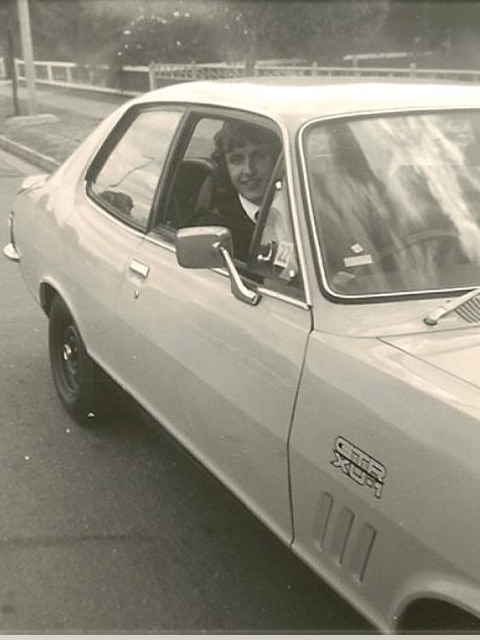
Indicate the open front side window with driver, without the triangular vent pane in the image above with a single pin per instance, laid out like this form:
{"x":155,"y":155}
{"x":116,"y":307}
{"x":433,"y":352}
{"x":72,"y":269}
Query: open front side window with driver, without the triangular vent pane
{"x":222,"y":177}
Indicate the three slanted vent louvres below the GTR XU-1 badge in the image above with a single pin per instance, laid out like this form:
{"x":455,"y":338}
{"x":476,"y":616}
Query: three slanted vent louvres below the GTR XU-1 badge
{"x":340,"y":535}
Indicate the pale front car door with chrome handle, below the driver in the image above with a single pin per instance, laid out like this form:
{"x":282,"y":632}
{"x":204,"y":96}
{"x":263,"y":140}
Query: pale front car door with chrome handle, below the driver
{"x":221,"y":374}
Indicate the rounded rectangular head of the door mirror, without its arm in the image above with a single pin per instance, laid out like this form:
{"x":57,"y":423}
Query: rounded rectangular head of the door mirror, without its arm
{"x":199,"y":247}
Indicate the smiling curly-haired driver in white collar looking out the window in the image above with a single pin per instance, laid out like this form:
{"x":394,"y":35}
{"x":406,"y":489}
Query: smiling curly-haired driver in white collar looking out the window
{"x":244,"y":159}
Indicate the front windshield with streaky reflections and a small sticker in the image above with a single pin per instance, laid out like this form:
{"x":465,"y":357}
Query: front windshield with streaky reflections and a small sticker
{"x":396,"y":201}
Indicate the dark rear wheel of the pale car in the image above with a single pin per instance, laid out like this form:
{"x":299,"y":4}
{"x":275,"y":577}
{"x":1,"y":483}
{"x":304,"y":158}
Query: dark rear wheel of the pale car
{"x":74,"y":372}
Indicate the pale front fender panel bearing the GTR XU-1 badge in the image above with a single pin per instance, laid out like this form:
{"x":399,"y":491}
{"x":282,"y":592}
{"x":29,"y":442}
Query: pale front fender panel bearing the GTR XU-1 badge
{"x":376,"y":542}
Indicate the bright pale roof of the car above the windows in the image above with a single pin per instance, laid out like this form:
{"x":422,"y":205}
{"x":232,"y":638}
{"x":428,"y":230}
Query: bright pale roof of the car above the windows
{"x":299,"y":99}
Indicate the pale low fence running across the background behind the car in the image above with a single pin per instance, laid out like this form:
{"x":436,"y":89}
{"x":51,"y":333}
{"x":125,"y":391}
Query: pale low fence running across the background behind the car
{"x":133,"y":80}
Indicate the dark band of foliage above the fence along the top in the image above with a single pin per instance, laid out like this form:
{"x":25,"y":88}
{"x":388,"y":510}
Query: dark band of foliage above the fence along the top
{"x":119,"y":32}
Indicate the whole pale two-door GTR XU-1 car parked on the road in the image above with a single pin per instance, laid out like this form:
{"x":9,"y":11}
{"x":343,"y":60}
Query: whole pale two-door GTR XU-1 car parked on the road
{"x":328,"y":376}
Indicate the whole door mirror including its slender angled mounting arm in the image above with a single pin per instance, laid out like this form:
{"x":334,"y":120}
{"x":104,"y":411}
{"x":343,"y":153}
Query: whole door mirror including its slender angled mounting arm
{"x":208,"y":248}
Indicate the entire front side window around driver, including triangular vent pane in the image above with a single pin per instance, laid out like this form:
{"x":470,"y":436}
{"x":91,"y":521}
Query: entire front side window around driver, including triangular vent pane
{"x":225,"y":177}
